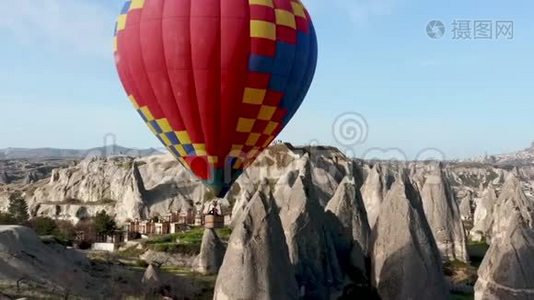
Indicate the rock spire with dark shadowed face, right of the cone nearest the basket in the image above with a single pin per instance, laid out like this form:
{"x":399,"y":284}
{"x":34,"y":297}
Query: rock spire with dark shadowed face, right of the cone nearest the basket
{"x":317,"y":245}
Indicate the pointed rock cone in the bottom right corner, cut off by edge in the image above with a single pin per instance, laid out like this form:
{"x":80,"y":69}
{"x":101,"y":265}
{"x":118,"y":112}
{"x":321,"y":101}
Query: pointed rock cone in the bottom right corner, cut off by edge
{"x":507,"y":270}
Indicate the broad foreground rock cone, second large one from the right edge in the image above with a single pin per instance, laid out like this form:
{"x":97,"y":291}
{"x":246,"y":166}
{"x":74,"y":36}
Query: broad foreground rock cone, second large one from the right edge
{"x":405,"y":259}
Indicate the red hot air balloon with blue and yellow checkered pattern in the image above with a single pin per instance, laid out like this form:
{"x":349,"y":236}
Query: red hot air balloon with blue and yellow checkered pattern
{"x":215,"y":80}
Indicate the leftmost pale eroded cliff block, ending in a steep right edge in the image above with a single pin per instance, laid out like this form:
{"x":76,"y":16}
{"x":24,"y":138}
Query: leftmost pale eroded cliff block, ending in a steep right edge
{"x":74,"y":193}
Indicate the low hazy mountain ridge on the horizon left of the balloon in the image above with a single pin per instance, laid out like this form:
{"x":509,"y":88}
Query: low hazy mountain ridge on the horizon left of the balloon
{"x":55,"y":153}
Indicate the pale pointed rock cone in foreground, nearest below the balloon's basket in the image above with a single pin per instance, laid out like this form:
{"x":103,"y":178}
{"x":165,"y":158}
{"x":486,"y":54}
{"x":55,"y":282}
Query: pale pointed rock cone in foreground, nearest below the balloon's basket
{"x":257,"y":264}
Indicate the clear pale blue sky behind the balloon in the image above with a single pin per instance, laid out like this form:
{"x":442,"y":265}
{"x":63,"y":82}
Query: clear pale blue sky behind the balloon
{"x":59,"y":88}
